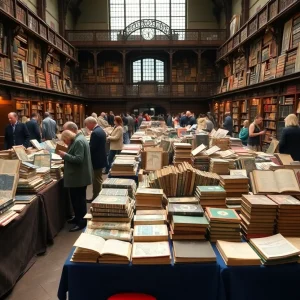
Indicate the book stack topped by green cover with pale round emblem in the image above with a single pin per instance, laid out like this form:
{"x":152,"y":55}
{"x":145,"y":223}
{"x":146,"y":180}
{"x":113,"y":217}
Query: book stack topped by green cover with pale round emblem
{"x":224,"y":224}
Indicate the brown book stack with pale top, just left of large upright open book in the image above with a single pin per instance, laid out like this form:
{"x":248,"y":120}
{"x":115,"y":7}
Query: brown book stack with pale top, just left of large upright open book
{"x":235,"y":185}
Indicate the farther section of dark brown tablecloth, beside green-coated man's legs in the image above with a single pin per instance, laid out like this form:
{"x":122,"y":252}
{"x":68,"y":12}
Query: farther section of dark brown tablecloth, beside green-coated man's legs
{"x":55,"y":200}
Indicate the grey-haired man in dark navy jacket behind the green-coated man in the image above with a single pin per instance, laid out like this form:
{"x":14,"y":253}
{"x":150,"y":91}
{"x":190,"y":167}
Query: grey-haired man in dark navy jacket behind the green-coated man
{"x":98,"y":153}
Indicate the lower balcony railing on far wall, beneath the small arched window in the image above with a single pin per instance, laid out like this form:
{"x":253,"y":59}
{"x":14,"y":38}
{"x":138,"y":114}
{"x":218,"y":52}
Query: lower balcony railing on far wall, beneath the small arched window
{"x":144,"y":90}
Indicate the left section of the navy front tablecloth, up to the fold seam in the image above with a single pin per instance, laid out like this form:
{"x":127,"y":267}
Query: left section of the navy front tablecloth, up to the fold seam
{"x":177,"y":282}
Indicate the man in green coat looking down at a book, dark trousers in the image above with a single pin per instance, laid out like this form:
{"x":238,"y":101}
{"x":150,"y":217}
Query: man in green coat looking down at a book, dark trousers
{"x":77,"y":172}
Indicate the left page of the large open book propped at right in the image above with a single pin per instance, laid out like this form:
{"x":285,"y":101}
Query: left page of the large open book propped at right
{"x":265,"y":182}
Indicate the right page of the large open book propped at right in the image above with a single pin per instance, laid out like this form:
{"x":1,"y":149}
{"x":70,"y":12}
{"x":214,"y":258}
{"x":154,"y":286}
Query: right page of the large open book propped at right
{"x":286,"y":181}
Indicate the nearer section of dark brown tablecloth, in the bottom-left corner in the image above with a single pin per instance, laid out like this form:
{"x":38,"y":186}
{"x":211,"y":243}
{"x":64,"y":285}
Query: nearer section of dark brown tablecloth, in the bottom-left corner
{"x":21,"y":240}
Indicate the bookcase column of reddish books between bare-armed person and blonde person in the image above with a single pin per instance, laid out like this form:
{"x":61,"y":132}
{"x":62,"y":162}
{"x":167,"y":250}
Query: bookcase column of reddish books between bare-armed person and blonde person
{"x":270,"y":117}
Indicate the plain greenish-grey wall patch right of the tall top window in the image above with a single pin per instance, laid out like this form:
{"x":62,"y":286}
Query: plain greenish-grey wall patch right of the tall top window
{"x":200,"y":15}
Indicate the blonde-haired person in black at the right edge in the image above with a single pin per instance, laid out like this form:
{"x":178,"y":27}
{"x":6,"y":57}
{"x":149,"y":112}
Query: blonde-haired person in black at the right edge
{"x":290,"y":138}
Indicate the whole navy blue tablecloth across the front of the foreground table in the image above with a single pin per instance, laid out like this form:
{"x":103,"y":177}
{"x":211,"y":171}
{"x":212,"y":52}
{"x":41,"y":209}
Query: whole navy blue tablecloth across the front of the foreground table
{"x":181,"y":282}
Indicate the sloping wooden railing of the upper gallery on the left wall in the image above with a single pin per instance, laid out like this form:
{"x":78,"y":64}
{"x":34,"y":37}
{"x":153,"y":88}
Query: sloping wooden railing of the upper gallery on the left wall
{"x":22,"y":15}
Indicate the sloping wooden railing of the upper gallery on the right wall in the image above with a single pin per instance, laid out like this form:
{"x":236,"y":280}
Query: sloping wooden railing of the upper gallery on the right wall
{"x":270,"y":12}
